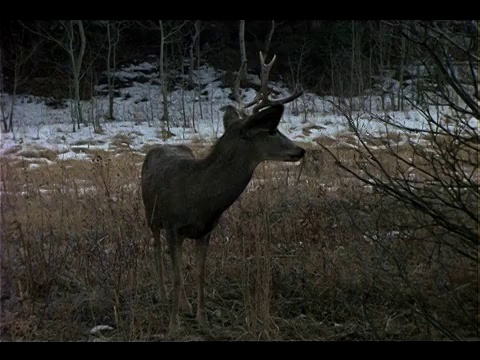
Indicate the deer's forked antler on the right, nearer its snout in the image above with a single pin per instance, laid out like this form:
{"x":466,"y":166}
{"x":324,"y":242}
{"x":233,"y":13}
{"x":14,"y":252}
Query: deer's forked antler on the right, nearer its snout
{"x":261,"y":99}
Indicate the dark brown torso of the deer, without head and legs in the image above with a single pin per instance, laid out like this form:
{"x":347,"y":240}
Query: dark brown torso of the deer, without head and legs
{"x":191,"y":194}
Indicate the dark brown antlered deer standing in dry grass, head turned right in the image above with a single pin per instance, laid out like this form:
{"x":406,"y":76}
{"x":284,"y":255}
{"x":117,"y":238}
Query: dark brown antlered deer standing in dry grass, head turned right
{"x":185,"y":197}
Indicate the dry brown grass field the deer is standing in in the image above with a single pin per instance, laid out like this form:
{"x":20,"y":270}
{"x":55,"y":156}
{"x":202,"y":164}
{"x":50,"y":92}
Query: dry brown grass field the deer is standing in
{"x":289,"y":261}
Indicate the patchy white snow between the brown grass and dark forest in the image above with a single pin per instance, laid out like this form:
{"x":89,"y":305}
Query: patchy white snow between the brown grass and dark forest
{"x":138,"y":111}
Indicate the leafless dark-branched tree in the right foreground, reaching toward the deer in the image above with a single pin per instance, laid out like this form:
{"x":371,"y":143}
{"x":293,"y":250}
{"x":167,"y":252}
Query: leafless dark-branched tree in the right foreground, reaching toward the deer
{"x":433,"y":177}
